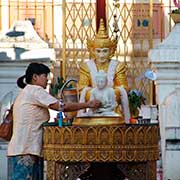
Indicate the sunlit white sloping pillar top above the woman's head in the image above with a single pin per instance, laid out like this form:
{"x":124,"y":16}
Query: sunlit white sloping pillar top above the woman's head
{"x":21,"y":41}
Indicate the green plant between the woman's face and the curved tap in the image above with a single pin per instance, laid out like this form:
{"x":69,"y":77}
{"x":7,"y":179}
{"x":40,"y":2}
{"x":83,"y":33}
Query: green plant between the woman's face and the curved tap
{"x":57,"y":85}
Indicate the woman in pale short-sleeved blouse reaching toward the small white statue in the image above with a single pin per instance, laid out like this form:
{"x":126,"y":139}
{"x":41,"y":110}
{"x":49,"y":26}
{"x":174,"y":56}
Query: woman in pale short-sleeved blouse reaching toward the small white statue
{"x":30,"y":111}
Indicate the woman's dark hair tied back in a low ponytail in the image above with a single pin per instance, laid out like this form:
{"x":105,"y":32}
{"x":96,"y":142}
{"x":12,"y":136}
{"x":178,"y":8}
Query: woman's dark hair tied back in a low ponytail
{"x":33,"y":68}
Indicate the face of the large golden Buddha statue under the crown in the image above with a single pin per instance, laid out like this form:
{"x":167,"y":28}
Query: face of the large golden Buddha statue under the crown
{"x":102,"y":55}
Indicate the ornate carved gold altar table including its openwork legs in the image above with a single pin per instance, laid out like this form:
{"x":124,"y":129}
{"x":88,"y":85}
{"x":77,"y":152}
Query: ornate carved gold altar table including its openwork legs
{"x":70,"y":150}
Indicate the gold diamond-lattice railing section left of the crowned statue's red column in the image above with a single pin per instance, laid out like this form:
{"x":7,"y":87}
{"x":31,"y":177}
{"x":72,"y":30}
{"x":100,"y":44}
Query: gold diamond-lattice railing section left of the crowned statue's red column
{"x":79,"y":23}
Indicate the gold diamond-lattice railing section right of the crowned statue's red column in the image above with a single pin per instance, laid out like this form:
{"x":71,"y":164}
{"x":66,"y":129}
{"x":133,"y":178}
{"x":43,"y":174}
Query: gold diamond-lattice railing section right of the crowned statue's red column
{"x":135,"y":39}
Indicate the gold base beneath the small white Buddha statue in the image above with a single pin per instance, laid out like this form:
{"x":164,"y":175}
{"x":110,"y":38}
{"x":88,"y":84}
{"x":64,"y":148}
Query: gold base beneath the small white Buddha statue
{"x":98,"y":121}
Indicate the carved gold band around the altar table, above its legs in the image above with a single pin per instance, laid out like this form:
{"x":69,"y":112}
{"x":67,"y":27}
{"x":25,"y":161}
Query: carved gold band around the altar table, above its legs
{"x":101,"y":143}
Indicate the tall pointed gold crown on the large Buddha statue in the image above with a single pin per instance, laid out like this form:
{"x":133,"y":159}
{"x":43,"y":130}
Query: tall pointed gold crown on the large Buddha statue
{"x":102,"y":40}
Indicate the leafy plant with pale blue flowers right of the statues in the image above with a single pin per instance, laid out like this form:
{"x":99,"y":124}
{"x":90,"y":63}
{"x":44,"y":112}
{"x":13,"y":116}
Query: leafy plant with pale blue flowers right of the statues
{"x":136,"y":99}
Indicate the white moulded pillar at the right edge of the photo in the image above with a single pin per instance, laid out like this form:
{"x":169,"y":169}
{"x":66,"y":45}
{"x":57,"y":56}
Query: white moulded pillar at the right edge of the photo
{"x":165,"y":60}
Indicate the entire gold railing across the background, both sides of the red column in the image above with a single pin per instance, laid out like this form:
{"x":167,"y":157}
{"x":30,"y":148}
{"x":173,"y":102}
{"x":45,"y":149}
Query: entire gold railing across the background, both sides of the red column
{"x":65,"y":25}
